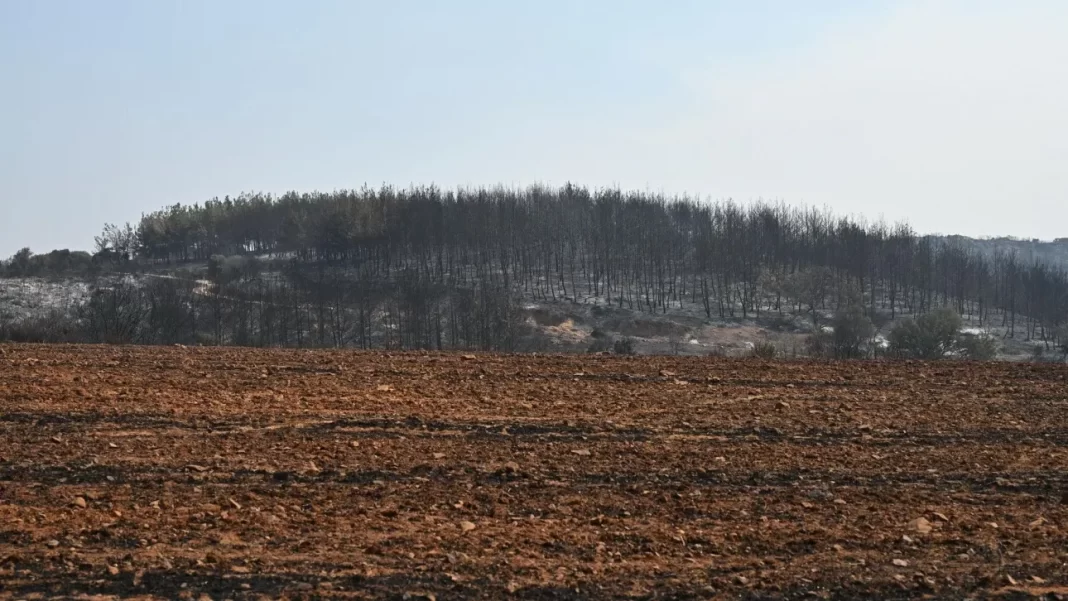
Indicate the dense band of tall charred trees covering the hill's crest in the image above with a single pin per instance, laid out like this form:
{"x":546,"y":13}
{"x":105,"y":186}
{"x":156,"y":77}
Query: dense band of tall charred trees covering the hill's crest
{"x":638,"y":250}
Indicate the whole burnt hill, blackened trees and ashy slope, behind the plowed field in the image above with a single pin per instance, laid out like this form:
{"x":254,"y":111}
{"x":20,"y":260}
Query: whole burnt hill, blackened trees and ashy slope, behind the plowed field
{"x":533,"y":270}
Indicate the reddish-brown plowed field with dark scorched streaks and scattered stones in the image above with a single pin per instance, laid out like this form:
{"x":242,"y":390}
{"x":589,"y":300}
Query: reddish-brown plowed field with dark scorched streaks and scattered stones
{"x":233,"y":473}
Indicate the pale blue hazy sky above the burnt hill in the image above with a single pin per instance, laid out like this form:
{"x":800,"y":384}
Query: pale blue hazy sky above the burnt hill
{"x":952,"y":116}
